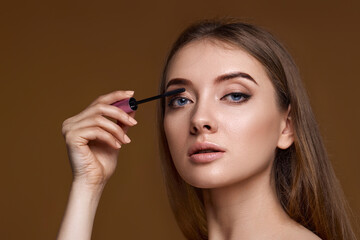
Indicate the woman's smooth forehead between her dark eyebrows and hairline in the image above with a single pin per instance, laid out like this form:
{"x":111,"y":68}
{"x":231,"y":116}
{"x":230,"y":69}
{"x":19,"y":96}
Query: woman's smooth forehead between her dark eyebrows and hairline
{"x":206,"y":59}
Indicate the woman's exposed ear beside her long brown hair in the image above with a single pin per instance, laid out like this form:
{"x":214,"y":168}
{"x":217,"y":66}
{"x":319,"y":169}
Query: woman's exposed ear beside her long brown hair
{"x":287,"y":131}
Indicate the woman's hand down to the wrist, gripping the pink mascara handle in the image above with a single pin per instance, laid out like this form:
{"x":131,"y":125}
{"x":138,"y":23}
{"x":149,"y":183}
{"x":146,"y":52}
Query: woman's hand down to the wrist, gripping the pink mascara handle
{"x":93,"y":140}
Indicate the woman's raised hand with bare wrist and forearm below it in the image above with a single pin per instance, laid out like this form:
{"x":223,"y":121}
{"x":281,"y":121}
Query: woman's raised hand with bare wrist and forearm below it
{"x":93,"y":142}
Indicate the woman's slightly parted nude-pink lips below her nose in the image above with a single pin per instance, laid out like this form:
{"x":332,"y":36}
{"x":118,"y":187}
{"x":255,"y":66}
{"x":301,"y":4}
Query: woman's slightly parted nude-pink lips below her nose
{"x":205,"y":152}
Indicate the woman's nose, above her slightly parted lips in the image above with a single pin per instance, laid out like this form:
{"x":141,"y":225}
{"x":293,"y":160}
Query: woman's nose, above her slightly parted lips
{"x":203,"y":121}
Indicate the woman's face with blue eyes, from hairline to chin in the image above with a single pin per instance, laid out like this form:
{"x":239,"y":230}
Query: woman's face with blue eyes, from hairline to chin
{"x":226,"y":126}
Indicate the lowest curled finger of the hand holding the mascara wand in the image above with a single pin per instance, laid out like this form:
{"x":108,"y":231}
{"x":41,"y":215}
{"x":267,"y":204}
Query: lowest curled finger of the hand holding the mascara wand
{"x":82,"y":136}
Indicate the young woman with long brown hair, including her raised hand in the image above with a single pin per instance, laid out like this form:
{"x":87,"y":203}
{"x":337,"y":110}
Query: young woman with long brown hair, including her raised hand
{"x":242,"y":153}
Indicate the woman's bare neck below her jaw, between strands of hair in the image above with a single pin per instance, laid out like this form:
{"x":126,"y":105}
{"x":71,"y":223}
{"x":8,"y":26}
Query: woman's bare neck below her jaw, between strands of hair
{"x":240,"y":210}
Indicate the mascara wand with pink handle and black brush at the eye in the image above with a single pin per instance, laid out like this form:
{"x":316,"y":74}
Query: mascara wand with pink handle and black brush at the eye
{"x":130,"y":104}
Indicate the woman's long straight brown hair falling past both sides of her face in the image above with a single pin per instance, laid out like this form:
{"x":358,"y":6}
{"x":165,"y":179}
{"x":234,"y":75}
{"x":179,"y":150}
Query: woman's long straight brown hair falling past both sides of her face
{"x":305,"y":182}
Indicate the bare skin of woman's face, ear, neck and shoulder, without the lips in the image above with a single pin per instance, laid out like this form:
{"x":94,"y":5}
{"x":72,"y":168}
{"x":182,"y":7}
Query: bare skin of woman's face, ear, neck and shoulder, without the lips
{"x":239,"y":114}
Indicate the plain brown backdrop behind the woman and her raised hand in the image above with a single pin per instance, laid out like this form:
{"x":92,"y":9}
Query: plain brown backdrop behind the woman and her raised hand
{"x":56,"y":57}
